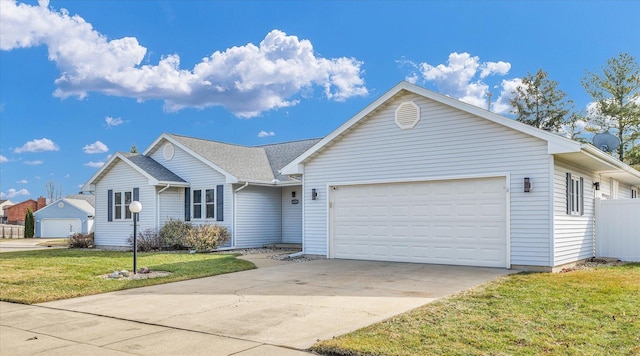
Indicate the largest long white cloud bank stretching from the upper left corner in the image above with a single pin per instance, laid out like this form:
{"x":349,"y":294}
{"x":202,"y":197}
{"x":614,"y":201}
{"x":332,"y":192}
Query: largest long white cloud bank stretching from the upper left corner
{"x":247,"y":80}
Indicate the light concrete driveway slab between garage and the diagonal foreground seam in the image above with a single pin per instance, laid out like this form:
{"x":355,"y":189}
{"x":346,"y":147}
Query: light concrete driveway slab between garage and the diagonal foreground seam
{"x":291,"y":305}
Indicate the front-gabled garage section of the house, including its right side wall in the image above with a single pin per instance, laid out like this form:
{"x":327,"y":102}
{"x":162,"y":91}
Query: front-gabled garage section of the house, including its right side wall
{"x":421,"y":177}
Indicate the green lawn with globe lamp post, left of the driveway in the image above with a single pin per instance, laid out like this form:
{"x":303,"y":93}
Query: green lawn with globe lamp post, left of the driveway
{"x":30,"y":277}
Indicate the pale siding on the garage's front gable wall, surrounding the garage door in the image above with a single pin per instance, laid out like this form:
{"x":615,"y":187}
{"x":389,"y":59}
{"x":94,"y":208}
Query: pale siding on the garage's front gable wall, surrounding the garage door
{"x":446,"y":142}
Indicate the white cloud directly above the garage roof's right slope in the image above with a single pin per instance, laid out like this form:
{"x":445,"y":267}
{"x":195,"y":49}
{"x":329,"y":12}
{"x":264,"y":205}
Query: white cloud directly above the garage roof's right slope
{"x":464,"y":77}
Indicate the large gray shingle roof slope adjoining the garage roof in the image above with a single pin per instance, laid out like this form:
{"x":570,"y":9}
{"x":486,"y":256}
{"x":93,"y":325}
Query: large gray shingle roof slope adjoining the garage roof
{"x":260,"y":163}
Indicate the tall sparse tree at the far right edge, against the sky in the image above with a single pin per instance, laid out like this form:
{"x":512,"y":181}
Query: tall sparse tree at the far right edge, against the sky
{"x":616,"y":93}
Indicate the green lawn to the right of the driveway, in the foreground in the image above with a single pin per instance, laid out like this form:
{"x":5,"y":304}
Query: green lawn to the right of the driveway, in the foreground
{"x":584,"y":312}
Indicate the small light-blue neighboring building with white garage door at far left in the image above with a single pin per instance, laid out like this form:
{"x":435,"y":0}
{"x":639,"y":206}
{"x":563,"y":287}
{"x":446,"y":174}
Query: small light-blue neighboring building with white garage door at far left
{"x":66,"y":216}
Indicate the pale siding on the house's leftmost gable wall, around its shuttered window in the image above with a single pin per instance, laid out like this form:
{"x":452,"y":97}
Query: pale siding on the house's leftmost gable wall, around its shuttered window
{"x":122,"y":178}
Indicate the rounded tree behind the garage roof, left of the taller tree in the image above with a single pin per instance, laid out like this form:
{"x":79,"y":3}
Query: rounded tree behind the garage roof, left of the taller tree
{"x":537,"y":101}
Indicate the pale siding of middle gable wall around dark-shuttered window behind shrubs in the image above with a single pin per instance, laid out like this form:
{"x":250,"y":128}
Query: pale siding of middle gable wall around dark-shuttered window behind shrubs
{"x":199,"y":176}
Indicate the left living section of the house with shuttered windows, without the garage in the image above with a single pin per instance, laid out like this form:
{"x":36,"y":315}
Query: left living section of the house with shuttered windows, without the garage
{"x":201,"y":181}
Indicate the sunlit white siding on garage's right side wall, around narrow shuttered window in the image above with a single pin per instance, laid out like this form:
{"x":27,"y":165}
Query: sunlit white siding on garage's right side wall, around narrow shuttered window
{"x":573,"y":234}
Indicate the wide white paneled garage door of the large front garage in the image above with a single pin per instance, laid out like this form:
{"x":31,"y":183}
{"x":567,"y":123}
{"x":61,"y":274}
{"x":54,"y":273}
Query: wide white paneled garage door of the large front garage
{"x":455,"y":222}
